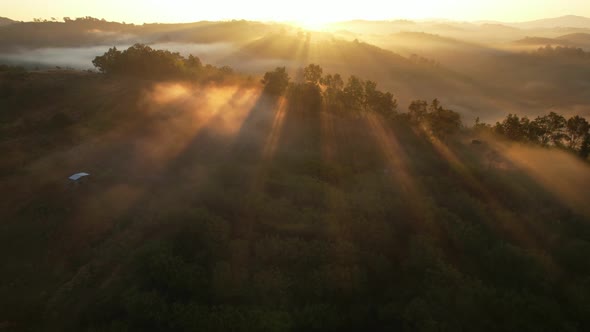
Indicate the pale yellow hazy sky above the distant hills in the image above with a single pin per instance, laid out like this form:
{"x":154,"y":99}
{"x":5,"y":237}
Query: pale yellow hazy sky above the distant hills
{"x":305,"y":11}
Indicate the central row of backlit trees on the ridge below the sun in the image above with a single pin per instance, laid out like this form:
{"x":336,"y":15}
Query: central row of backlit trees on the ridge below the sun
{"x":315,"y":92}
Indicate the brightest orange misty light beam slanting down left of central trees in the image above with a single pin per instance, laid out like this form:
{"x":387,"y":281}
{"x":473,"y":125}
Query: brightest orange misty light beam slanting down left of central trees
{"x":181,"y":113}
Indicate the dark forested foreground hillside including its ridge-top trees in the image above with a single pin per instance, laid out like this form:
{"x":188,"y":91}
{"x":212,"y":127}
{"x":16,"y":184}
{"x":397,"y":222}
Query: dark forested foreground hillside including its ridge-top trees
{"x":326,"y":208}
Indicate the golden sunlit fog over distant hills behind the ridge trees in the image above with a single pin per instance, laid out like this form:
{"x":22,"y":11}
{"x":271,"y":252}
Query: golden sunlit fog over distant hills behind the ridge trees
{"x":483,"y":71}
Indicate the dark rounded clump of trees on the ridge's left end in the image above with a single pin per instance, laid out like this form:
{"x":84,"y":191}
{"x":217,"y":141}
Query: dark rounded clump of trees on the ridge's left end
{"x":142,"y":61}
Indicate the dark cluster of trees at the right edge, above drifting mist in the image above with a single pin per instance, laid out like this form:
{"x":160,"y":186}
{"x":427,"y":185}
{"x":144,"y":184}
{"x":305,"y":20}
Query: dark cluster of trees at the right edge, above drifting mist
{"x":549,"y":130}
